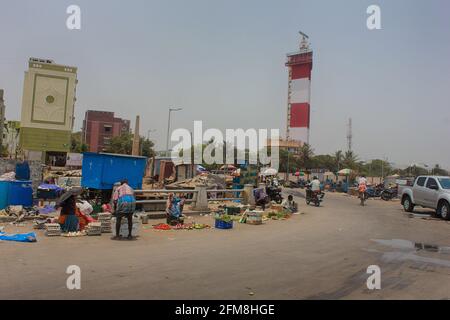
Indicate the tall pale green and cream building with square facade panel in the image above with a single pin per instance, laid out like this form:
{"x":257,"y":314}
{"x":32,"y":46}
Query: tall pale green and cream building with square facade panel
{"x":48,"y":105}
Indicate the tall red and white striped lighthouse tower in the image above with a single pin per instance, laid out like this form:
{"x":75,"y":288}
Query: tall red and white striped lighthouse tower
{"x":300,"y":66}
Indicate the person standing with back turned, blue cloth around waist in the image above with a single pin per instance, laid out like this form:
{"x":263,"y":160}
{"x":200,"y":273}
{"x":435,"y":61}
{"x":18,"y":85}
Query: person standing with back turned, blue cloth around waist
{"x":124,"y":205}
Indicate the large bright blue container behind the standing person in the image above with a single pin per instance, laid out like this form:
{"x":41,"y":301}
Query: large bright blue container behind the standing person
{"x":101,"y":170}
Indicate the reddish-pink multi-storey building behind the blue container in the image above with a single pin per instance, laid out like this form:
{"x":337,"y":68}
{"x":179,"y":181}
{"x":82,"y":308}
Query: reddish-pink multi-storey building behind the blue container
{"x":100,"y":126}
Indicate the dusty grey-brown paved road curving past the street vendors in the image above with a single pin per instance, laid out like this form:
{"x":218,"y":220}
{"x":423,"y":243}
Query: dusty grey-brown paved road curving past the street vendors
{"x":322,"y":253}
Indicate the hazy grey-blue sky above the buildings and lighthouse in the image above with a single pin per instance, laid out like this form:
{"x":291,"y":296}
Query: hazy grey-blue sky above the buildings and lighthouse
{"x":223,"y":62}
